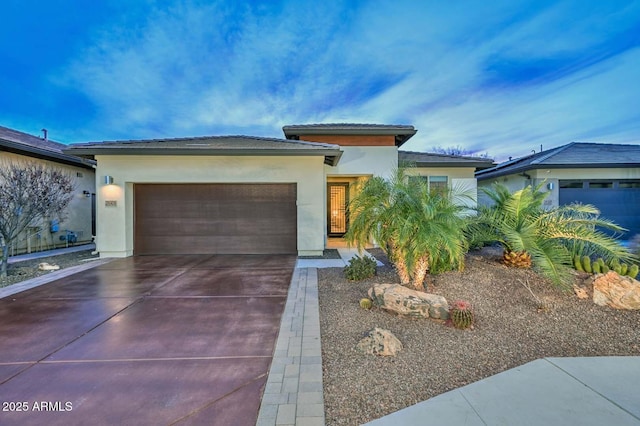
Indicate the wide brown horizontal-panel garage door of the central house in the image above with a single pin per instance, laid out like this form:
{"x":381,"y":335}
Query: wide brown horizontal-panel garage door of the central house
{"x":215,"y":219}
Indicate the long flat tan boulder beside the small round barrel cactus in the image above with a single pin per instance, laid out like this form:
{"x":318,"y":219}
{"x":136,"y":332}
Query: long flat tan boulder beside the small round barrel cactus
{"x":412,"y":303}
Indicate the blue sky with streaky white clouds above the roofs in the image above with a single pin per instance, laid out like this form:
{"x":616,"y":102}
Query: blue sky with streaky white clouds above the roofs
{"x":502,"y":77}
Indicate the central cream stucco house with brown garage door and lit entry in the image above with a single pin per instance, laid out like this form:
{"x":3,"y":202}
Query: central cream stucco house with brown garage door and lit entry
{"x":242,"y":194}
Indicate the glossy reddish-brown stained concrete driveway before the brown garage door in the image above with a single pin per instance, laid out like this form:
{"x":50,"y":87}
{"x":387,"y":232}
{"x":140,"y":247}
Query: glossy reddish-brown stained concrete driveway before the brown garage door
{"x":144,"y":340}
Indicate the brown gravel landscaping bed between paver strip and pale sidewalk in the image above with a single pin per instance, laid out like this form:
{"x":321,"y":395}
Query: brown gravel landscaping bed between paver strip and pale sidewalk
{"x":511,"y":329}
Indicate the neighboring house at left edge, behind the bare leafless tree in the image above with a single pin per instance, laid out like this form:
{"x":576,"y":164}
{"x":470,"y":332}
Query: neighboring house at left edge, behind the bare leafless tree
{"x":17,"y":146}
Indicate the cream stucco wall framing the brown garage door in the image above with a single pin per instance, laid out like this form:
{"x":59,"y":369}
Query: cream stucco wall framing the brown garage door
{"x":115,"y":224}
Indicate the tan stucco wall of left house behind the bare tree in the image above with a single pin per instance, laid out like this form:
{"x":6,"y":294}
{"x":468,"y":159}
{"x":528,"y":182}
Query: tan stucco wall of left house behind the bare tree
{"x":78,"y":217}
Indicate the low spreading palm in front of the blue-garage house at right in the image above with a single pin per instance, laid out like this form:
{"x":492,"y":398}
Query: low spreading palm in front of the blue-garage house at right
{"x":532,"y":235}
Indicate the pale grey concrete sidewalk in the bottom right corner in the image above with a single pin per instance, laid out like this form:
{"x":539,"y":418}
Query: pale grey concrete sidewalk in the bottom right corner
{"x":551,"y":391}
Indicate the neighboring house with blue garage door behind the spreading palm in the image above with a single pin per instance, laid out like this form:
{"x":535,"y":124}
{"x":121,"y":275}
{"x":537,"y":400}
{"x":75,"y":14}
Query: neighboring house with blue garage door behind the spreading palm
{"x":604,"y":175}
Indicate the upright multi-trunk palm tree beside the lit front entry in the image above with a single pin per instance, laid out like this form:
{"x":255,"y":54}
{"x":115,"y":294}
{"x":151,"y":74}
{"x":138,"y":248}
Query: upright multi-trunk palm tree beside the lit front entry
{"x":419,"y":230}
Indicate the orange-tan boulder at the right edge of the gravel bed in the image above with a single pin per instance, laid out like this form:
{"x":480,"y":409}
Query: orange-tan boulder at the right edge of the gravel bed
{"x":617,"y":291}
